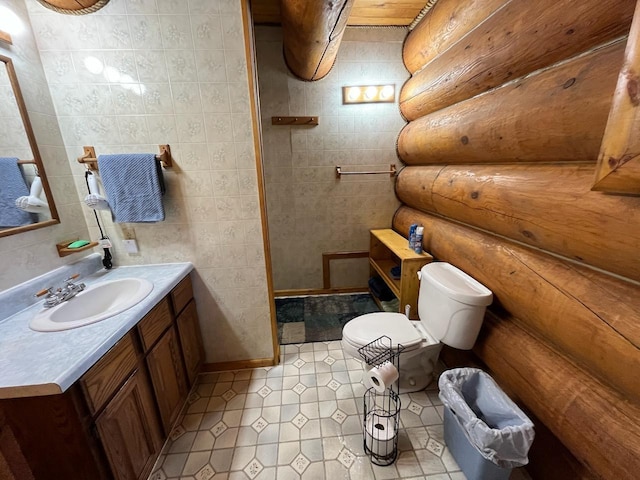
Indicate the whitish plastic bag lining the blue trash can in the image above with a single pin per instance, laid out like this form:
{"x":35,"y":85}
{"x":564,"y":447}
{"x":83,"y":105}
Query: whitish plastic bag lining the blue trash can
{"x":492,"y":422}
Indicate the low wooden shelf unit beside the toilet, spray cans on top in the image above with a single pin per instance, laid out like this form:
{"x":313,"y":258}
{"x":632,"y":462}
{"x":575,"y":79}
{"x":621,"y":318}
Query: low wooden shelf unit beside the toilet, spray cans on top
{"x":388,"y":249}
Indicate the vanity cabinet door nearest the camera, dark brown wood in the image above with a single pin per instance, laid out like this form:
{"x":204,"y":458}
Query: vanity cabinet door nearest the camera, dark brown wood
{"x":129,"y":429}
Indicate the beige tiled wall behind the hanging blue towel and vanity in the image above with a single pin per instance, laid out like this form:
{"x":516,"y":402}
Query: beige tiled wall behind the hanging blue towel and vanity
{"x":139,"y":73}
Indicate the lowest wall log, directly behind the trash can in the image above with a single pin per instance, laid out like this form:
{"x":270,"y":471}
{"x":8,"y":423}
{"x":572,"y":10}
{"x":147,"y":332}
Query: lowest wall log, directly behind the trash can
{"x":597,"y":424}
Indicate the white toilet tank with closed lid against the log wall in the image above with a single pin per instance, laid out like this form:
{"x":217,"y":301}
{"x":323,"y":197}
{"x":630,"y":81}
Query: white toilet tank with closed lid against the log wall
{"x":451,"y":304}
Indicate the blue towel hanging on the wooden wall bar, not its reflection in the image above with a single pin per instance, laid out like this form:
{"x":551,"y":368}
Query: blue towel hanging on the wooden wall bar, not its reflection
{"x":132,"y":182}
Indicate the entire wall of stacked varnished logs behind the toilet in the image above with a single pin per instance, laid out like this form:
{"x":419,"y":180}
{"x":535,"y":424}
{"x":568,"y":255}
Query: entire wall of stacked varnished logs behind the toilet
{"x":507,"y":108}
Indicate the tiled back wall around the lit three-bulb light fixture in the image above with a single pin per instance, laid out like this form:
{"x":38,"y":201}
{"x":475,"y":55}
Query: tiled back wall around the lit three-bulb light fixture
{"x":310,"y":212}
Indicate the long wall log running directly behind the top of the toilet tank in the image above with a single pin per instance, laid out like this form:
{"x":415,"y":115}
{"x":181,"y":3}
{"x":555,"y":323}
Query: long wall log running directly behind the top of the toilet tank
{"x":592,"y":317}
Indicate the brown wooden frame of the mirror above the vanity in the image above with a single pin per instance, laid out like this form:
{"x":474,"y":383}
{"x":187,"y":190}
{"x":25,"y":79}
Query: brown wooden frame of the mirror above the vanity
{"x":55,"y":219}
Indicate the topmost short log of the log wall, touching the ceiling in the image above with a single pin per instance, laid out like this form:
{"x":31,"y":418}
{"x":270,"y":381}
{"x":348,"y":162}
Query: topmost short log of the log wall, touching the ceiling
{"x":446,"y":23}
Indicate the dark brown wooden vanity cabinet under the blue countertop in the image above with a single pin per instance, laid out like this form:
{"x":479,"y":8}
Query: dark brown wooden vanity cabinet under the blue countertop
{"x":112,"y":423}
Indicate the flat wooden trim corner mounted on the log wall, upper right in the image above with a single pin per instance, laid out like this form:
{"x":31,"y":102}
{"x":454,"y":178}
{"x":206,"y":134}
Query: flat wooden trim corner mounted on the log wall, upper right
{"x":618,"y":168}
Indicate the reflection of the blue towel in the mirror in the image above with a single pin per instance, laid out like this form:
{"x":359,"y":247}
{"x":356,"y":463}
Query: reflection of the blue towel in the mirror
{"x":12,"y":186}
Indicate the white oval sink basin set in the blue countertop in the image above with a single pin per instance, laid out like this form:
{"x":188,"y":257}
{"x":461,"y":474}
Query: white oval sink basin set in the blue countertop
{"x":96,"y":303}
